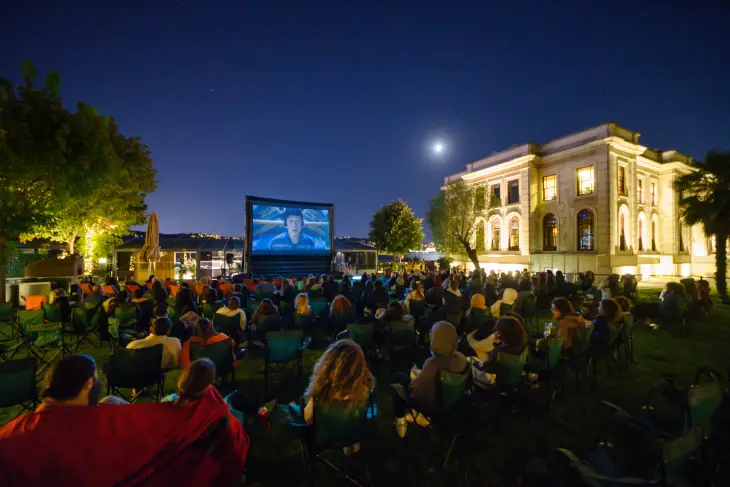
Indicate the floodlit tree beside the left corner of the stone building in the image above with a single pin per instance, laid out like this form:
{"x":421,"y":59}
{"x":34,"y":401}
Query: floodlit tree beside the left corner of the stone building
{"x":452,"y":216}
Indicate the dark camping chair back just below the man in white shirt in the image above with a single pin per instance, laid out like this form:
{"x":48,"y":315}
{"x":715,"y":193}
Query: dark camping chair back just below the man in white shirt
{"x":137,"y":369}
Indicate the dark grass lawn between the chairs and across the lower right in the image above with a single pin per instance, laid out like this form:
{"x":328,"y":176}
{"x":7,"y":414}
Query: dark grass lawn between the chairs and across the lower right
{"x":497,"y":445}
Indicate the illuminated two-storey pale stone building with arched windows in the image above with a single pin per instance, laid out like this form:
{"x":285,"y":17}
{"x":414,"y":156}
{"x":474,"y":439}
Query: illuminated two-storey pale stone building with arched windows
{"x":593,"y":200}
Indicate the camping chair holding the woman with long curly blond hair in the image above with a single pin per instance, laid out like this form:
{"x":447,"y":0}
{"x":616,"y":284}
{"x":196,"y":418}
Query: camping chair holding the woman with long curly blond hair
{"x":333,"y":428}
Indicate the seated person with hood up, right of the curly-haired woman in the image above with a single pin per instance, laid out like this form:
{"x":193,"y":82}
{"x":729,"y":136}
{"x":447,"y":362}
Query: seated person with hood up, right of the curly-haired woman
{"x":423,"y":391}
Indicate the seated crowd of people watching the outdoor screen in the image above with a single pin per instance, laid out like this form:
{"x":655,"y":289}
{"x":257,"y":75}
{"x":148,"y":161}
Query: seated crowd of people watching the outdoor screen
{"x":467,"y":321}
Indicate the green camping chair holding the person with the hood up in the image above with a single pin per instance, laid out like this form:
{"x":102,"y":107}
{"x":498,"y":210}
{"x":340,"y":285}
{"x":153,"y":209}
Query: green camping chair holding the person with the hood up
{"x":453,"y":388}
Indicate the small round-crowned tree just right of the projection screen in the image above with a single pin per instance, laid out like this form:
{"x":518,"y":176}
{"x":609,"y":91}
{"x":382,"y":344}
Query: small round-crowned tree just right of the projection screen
{"x":395,"y":229}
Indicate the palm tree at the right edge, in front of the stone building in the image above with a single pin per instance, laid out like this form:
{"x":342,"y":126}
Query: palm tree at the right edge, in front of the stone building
{"x":706,"y":201}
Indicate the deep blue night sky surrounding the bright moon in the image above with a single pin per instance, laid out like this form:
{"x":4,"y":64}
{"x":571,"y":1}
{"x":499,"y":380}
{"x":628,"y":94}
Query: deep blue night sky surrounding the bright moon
{"x":326,"y":101}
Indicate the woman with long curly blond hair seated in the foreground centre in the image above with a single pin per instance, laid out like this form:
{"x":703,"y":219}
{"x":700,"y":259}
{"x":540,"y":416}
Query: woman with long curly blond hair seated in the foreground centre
{"x":340,"y":379}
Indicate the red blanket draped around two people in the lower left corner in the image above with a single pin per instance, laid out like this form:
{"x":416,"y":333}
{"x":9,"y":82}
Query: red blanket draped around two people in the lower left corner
{"x":111,"y":445}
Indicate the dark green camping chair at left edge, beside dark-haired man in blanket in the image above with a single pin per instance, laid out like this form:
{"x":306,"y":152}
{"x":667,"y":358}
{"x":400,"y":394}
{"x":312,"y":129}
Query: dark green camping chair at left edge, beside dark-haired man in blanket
{"x":18,"y":384}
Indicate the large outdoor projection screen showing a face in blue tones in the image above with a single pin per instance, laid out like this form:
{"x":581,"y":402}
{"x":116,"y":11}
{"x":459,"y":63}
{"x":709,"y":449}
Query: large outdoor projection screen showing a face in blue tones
{"x":279,"y":227}
